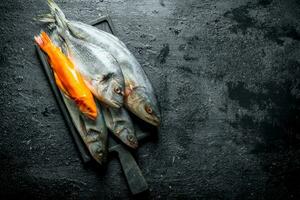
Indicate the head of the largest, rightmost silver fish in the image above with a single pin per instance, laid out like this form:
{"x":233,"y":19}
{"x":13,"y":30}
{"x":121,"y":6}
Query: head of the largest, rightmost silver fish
{"x":144,"y":105}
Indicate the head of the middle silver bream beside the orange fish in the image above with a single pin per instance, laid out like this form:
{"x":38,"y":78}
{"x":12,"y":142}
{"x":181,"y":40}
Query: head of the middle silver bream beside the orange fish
{"x":110,"y":90}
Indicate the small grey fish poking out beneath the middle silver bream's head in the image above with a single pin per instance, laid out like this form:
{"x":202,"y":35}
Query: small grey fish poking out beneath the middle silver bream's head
{"x":120,"y":124}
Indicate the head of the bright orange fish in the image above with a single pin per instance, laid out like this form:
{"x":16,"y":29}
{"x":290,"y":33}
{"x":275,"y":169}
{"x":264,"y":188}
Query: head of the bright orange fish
{"x":88,"y":107}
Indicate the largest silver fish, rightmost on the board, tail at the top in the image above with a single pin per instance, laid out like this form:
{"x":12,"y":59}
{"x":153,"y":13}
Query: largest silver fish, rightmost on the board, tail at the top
{"x":139,"y":94}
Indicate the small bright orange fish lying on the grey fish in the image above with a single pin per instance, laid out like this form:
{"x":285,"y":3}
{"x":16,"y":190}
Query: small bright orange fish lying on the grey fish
{"x":67,"y":78}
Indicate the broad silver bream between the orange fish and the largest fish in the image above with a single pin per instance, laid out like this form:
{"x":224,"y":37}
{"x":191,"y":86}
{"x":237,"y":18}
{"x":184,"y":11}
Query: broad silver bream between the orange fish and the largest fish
{"x":100,"y":70}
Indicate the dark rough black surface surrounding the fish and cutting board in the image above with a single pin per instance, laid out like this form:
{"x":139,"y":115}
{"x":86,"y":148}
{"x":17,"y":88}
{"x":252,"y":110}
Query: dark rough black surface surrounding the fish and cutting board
{"x":226,"y":74}
